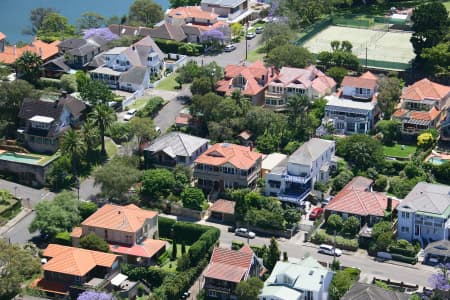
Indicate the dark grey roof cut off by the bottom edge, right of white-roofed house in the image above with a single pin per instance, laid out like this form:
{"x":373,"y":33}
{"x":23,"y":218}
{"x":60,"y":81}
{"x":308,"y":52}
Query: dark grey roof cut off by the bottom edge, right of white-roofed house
{"x":364,"y":291}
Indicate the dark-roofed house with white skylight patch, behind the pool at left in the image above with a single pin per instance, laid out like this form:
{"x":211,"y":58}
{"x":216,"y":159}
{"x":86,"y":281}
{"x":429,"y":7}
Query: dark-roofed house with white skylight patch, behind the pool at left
{"x":42,"y":122}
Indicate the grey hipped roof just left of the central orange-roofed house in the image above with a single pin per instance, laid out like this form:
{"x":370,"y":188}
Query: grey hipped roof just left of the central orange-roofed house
{"x":177,"y":144}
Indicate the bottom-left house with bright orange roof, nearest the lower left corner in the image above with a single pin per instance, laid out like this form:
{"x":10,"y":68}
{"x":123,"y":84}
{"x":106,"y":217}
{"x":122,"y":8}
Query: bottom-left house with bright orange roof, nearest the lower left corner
{"x":68,"y":269}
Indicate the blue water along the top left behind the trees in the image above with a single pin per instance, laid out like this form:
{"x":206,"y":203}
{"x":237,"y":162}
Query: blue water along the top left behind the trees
{"x":14,"y":14}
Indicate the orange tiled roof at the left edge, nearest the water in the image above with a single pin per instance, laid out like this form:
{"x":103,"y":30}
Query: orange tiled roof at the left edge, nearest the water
{"x":45,"y":50}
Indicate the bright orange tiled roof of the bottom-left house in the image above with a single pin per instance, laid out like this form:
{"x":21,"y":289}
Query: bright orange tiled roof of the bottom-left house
{"x":75,"y":261}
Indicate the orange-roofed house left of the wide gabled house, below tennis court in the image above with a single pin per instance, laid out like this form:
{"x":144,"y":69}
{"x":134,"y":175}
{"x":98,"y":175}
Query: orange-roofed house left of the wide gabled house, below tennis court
{"x":251,"y":80}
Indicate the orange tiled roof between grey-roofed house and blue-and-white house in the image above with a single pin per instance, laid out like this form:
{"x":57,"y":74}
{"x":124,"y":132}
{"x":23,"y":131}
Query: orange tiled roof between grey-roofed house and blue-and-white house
{"x":239,"y":156}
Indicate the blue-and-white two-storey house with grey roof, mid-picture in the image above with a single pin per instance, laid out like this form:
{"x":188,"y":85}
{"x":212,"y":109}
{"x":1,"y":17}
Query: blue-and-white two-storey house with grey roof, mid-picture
{"x":293,"y":179}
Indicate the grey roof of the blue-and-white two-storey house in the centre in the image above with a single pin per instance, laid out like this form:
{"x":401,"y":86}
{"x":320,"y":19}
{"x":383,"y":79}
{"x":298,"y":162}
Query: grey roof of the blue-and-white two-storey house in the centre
{"x":310,"y":151}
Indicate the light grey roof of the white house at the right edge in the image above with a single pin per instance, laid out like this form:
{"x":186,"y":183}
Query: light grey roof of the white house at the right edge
{"x":428,"y":198}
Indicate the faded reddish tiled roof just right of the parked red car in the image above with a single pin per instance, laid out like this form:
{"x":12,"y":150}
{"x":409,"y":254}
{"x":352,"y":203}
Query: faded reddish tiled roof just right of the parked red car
{"x":356,"y":199}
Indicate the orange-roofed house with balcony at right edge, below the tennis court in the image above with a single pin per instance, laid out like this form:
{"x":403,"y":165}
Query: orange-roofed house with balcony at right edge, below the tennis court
{"x":423,"y":105}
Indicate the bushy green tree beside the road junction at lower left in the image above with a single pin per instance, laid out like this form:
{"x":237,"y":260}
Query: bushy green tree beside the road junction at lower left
{"x":57,"y":215}
